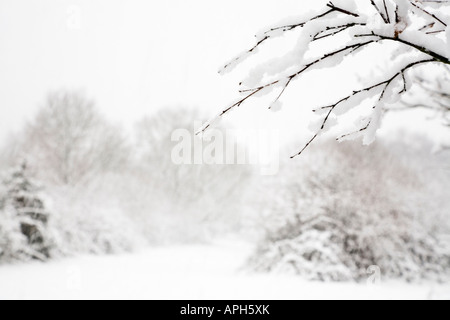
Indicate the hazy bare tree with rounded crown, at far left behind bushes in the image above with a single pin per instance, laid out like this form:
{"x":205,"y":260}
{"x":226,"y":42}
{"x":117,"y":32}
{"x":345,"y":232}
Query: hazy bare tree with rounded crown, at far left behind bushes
{"x":69,"y":142}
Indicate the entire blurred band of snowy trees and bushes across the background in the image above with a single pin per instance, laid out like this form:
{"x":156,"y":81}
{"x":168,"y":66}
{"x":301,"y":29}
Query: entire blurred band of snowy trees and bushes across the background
{"x":72,"y":183}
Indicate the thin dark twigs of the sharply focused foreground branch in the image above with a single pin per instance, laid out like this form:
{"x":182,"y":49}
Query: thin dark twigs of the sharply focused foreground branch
{"x":388,"y":14}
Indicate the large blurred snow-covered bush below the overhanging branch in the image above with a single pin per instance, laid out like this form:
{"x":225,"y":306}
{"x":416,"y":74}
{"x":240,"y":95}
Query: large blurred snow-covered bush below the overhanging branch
{"x":340,"y":212}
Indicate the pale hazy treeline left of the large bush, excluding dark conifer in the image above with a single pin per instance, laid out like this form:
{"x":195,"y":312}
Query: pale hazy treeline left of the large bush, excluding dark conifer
{"x":108,"y":191}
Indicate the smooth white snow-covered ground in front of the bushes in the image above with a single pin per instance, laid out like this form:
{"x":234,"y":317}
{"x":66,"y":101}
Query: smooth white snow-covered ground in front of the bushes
{"x":183,"y":272}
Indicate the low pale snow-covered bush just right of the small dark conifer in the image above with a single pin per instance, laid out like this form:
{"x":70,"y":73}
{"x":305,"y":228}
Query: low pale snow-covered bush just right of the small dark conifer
{"x":89,"y":220}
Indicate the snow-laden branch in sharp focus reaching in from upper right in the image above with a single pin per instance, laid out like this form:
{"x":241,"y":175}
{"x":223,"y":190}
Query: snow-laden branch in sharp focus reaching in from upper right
{"x":414,"y":34}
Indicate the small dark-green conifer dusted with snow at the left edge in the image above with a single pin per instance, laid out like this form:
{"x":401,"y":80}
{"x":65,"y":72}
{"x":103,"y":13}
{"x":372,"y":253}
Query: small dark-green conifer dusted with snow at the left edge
{"x":24,"y":219}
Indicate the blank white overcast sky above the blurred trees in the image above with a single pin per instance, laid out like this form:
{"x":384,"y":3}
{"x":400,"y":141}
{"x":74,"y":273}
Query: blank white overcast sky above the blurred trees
{"x":136,"y":56}
